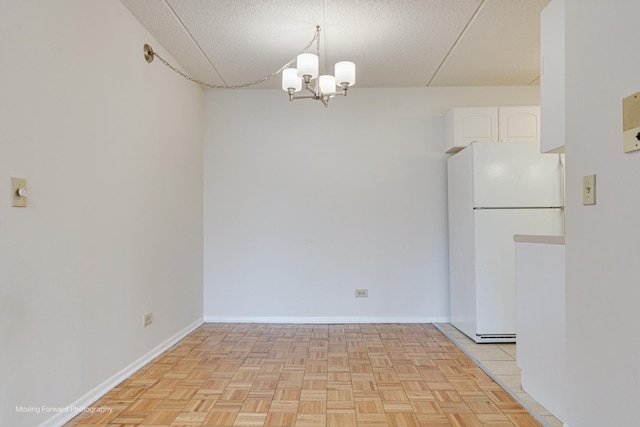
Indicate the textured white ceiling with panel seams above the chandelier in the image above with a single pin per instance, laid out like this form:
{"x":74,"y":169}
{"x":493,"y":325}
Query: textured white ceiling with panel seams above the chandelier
{"x":394,"y":43}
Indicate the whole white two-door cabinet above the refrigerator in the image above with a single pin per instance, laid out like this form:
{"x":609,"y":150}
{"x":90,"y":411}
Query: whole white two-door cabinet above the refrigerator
{"x":494,"y":124}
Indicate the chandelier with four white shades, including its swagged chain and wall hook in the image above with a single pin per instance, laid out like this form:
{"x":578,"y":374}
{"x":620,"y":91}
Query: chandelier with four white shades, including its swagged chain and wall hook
{"x":293,"y":79}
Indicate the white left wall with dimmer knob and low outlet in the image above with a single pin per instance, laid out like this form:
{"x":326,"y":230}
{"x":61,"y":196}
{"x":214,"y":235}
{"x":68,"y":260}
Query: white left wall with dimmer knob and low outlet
{"x":111,"y":148}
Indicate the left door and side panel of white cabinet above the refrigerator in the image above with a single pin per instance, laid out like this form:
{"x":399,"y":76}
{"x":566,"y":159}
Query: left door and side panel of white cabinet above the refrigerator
{"x":467,"y":125}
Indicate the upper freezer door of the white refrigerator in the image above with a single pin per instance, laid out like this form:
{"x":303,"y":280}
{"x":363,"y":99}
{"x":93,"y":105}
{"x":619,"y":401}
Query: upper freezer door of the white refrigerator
{"x":515,"y":174}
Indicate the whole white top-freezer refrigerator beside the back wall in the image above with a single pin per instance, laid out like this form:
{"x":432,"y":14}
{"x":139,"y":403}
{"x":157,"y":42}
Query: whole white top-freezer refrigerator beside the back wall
{"x":496,"y":190}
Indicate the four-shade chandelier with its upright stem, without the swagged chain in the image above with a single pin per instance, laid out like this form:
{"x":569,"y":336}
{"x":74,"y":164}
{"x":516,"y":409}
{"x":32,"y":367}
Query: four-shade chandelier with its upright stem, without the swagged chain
{"x":325,"y":85}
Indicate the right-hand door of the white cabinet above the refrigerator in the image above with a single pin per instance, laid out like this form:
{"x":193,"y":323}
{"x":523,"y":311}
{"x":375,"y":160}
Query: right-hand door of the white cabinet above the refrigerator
{"x":519,"y":124}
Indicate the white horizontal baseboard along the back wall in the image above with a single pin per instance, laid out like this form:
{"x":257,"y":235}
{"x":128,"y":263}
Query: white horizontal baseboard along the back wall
{"x":324,"y":320}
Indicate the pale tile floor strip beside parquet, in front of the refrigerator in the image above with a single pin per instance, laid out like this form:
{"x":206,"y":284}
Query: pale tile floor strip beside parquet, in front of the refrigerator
{"x":499,"y":362}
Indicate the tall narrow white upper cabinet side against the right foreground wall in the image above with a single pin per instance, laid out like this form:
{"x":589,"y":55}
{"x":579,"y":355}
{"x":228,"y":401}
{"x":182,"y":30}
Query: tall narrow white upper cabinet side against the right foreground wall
{"x":552,"y":77}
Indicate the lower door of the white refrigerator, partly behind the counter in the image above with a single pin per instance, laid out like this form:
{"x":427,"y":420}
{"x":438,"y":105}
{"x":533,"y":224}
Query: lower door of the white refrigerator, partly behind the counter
{"x":495,"y":262}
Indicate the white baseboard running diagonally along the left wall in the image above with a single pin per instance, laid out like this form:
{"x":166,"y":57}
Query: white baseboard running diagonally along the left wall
{"x":63,"y":416}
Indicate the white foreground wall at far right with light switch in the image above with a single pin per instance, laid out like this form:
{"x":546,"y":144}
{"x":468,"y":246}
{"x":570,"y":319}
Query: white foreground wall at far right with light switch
{"x":603,"y":241}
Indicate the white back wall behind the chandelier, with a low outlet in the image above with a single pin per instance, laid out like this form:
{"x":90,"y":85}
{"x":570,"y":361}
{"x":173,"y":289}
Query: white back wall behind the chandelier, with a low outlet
{"x":304,"y":204}
